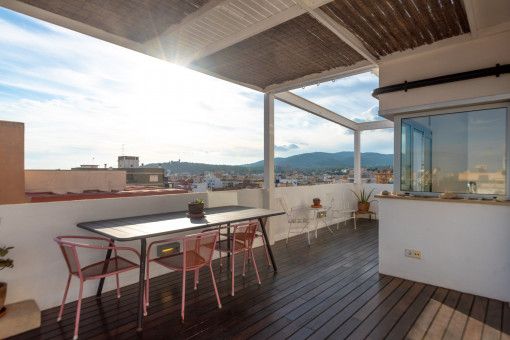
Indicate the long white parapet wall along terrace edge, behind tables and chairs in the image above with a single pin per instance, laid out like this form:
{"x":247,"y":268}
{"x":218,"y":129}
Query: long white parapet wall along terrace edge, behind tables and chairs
{"x":39,"y":271}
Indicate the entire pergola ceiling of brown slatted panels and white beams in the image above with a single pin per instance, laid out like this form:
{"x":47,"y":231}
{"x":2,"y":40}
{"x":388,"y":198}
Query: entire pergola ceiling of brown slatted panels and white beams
{"x":262,"y":44}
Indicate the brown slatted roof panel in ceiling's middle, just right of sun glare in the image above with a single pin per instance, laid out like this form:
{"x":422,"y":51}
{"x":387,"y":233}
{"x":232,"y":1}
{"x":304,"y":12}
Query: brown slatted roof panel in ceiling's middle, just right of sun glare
{"x":296,"y":48}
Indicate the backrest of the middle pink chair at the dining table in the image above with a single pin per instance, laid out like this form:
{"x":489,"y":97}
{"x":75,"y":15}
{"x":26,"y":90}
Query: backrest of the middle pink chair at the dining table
{"x":199,"y":248}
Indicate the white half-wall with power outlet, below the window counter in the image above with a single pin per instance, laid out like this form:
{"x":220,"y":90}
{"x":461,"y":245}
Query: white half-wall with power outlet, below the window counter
{"x":464,"y":246}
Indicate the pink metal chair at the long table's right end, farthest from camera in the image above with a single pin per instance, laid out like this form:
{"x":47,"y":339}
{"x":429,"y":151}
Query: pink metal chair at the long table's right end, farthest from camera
{"x":240,"y":241}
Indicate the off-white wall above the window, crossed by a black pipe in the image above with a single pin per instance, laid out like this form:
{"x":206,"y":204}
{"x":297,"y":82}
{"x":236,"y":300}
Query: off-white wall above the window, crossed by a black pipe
{"x":459,"y":56}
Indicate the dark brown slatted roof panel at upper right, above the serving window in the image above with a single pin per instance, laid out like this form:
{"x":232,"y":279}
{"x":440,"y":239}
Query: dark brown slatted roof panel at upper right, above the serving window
{"x":390,"y":26}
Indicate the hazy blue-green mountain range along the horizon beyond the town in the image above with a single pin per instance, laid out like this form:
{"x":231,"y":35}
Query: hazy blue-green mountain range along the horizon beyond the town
{"x":306,"y":161}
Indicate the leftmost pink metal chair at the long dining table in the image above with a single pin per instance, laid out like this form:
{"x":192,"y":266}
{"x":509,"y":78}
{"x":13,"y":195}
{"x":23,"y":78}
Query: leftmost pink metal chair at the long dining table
{"x":98,"y":270}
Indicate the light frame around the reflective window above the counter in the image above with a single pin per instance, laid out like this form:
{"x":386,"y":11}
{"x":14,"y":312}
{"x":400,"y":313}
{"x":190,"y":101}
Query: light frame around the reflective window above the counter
{"x":435,"y":112}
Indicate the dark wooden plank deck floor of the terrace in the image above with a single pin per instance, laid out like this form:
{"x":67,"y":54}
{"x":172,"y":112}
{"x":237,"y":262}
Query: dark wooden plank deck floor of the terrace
{"x":329,"y":290}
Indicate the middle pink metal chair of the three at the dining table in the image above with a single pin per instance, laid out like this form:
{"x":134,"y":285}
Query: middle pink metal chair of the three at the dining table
{"x":197,"y":252}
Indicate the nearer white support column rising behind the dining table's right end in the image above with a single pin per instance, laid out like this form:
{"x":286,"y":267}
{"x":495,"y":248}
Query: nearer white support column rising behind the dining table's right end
{"x":268,"y":156}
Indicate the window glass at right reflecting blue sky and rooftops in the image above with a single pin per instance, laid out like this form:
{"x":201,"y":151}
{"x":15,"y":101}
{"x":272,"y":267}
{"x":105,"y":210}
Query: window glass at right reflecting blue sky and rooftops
{"x":466,"y":147}
